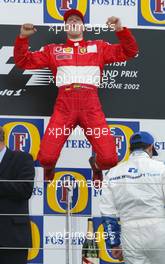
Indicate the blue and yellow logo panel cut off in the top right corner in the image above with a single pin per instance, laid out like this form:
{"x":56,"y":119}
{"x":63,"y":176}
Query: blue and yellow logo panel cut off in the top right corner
{"x":151,"y":12}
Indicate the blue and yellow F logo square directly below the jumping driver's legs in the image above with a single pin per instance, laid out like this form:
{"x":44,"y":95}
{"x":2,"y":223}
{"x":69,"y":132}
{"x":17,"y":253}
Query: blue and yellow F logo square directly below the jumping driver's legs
{"x":56,"y":192}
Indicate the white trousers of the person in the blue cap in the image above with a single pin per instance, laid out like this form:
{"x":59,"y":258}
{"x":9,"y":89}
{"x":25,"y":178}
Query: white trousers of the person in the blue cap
{"x":143,"y":241}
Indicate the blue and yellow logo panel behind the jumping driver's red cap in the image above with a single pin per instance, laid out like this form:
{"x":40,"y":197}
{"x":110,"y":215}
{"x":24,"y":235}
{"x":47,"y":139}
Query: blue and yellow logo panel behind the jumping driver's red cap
{"x":55,"y":9}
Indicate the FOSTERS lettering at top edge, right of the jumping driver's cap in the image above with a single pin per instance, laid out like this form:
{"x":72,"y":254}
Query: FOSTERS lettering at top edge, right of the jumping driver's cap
{"x":114,"y":2}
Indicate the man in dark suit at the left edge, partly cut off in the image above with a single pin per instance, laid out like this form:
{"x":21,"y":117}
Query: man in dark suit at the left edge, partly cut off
{"x":16,"y":185}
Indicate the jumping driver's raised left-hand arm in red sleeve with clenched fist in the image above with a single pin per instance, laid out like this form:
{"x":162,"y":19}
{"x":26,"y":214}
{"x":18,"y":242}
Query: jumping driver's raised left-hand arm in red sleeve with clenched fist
{"x":26,"y":59}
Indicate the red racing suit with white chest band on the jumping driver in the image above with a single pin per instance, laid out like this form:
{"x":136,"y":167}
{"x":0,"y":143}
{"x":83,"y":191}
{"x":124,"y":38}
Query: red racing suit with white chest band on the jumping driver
{"x":77,"y":68}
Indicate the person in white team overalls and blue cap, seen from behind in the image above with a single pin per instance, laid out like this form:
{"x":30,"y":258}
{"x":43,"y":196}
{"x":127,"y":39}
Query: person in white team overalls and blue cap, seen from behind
{"x":136,"y":194}
